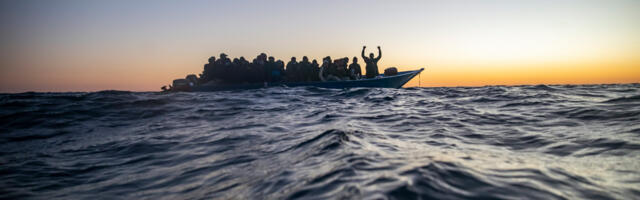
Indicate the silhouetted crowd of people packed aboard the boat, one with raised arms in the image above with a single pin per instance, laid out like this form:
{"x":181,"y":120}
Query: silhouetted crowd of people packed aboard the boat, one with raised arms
{"x":268,"y":69}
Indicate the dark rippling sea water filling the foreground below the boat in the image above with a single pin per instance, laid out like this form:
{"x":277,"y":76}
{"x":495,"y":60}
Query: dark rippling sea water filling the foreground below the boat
{"x":527,"y":142}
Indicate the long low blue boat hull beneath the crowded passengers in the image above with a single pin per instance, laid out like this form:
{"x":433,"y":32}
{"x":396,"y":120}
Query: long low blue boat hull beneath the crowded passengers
{"x":382,"y":81}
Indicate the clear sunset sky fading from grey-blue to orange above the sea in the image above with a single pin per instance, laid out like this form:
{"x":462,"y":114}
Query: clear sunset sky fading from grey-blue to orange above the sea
{"x":140,"y":45}
